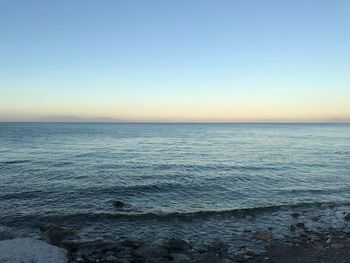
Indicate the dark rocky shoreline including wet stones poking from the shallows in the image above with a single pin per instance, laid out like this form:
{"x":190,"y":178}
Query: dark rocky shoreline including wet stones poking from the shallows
{"x":306,"y":243}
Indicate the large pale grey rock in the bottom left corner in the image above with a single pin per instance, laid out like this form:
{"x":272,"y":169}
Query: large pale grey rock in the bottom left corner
{"x":28,"y":250}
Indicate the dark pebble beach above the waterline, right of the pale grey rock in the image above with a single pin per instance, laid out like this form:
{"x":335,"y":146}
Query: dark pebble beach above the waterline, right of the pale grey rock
{"x":327,"y":246}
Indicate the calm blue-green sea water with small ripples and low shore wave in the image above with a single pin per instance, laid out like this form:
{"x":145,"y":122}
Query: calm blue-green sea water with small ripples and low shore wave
{"x":182,"y":179}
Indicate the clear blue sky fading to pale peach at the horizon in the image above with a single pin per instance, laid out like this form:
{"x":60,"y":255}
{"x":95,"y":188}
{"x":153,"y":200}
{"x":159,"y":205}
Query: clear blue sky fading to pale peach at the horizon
{"x":183,"y":60}
